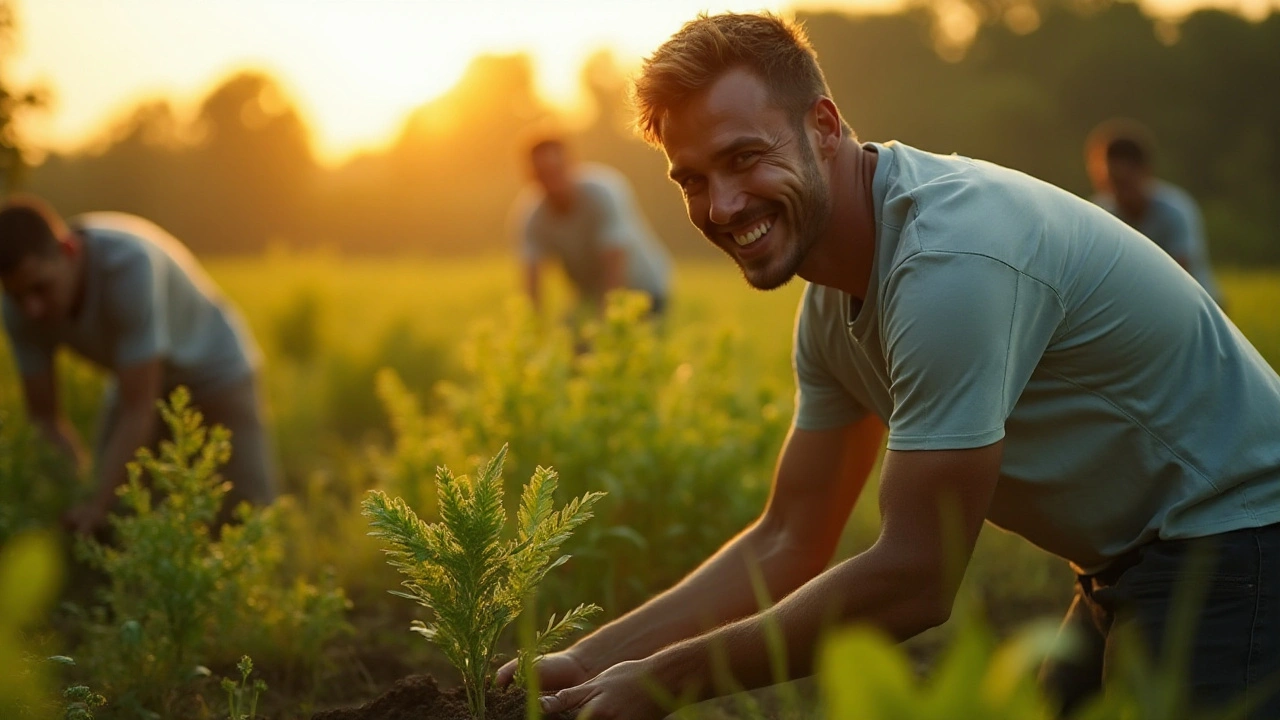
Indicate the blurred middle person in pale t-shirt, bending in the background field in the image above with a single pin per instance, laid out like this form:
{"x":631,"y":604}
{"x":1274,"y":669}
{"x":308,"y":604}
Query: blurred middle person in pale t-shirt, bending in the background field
{"x":586,"y":216}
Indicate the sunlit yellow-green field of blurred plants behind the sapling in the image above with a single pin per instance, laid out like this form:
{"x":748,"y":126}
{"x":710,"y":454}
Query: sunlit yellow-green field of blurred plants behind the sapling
{"x":671,"y":422}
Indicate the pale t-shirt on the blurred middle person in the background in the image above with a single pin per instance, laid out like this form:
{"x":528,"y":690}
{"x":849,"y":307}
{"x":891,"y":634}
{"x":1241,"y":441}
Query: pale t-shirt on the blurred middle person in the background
{"x":606,"y":216}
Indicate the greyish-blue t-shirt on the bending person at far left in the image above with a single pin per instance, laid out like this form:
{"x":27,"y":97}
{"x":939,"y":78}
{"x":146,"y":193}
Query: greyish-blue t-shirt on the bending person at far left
{"x":145,"y":298}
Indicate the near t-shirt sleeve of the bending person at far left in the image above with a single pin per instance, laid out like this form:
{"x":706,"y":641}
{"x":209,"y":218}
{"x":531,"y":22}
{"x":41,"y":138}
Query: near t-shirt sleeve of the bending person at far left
{"x":136,"y":302}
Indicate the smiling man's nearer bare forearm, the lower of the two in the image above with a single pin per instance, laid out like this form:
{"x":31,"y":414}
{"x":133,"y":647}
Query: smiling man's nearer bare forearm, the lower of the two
{"x":862,"y":590}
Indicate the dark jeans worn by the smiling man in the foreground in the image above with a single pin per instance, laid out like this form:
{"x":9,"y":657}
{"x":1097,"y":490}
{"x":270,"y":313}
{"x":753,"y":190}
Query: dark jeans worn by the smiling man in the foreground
{"x":1236,"y":642}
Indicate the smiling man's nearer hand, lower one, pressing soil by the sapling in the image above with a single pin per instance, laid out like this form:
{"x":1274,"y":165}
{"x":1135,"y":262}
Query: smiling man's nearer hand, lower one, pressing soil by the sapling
{"x":621,"y":692}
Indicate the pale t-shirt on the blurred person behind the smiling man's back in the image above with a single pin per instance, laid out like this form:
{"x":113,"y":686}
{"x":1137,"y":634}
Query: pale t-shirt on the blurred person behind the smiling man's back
{"x":1174,"y":224}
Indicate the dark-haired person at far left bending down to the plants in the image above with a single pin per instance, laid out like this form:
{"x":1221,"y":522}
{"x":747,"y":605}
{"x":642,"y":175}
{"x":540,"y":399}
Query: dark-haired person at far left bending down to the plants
{"x":127,"y":297}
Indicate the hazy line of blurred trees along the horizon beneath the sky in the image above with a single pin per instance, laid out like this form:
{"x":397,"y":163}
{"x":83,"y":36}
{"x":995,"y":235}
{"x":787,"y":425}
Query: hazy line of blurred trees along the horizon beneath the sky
{"x":1022,"y":88}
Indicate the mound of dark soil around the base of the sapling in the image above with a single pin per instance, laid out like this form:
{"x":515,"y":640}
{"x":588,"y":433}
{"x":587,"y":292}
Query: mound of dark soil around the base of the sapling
{"x":419,"y":698}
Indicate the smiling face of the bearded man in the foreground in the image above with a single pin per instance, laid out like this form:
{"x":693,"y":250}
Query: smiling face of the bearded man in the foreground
{"x":749,"y":176}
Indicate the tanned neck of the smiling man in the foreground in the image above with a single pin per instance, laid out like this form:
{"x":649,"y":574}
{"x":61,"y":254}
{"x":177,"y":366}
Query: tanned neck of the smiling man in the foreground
{"x":843,"y":257}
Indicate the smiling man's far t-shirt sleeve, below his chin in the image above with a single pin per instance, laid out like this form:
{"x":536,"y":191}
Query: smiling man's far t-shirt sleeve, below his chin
{"x":822,"y":403}
